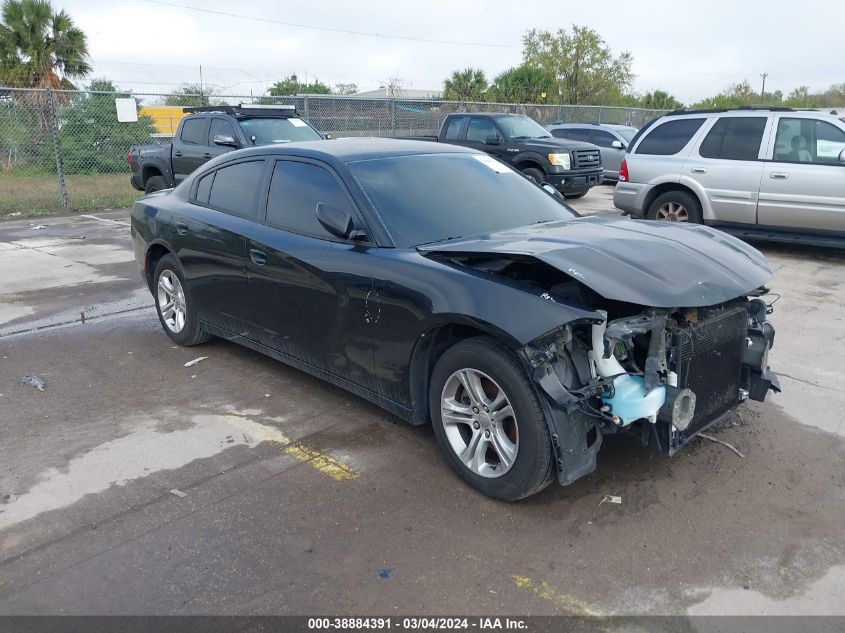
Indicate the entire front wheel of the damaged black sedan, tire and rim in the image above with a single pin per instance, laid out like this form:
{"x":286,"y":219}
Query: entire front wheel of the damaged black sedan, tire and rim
{"x":488,"y":421}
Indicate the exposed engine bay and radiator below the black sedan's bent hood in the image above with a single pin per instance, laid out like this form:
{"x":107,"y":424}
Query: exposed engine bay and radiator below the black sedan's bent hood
{"x":662,"y":374}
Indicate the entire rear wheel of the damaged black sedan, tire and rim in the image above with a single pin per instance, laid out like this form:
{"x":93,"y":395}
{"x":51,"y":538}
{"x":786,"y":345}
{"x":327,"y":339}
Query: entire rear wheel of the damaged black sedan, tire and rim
{"x":175,"y":310}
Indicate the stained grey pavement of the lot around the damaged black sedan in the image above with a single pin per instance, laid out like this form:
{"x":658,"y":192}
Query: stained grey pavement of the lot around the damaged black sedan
{"x":134,"y":484}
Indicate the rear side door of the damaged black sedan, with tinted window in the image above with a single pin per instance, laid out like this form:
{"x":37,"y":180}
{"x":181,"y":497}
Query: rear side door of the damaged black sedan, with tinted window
{"x":211,"y":244}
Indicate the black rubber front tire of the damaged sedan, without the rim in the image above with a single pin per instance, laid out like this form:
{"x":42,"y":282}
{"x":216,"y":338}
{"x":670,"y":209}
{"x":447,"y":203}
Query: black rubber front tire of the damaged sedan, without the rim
{"x":533,"y":467}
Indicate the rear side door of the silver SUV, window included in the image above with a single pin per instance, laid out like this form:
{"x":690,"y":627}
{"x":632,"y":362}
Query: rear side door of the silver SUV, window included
{"x":727,"y":165}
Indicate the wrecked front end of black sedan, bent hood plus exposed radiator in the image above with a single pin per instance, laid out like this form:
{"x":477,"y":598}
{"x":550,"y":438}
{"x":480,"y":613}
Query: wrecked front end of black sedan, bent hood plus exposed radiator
{"x":639,"y":350}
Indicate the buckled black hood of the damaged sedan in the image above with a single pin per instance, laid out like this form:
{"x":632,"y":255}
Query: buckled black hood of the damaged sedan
{"x":657,"y":264}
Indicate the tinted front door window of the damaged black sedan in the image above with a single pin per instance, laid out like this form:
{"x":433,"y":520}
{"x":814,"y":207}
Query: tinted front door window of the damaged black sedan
{"x":295,"y":191}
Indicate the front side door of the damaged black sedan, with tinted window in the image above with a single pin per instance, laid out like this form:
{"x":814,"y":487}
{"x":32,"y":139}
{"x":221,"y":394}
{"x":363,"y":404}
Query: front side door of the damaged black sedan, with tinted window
{"x":309,"y":289}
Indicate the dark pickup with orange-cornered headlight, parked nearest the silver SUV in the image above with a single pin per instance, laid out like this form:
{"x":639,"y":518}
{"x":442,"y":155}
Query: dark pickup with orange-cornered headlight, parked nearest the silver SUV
{"x":571,"y":167}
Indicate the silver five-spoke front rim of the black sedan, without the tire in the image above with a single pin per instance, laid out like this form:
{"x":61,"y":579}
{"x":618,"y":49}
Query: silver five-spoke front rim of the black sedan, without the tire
{"x":479,"y":423}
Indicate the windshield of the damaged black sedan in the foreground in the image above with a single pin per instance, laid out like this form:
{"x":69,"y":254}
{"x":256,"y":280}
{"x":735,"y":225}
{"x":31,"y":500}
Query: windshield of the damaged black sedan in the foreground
{"x":434,"y":197}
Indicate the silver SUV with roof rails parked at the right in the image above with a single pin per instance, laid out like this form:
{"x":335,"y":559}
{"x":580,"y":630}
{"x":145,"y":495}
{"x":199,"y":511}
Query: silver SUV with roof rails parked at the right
{"x":772,"y":173}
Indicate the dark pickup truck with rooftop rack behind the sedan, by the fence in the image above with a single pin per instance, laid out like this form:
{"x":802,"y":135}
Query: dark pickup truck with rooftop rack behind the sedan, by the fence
{"x":208,"y":132}
